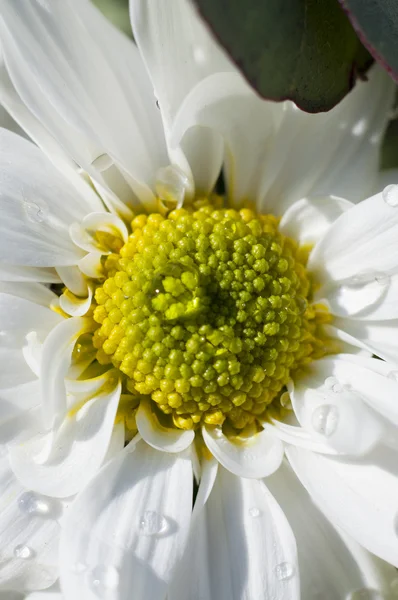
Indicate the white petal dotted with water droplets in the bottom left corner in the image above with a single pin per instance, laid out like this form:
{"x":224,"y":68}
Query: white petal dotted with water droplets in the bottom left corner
{"x":29,"y":535}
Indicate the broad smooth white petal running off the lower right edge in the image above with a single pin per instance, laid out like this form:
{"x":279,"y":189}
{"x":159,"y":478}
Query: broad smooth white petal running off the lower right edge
{"x":358,"y":497}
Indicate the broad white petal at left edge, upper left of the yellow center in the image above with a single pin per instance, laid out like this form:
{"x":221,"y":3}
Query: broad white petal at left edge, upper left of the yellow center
{"x":37,"y":205}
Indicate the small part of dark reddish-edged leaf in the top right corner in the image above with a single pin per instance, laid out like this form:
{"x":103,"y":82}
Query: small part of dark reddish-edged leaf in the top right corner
{"x":376,"y":21}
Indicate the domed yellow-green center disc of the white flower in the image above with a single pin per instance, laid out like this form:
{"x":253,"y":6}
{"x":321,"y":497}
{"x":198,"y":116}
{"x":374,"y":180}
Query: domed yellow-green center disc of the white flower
{"x":206,"y":311}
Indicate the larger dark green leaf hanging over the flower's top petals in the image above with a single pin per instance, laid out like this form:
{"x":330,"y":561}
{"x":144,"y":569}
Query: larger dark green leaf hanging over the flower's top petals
{"x":302,"y":50}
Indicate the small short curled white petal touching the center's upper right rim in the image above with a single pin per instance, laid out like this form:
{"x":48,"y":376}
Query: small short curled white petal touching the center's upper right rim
{"x":307,"y":220}
